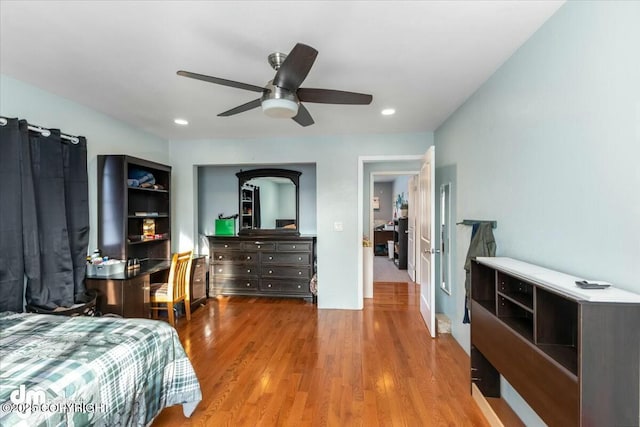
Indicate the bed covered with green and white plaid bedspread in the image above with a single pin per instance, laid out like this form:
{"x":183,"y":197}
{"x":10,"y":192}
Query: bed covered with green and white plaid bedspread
{"x":91,"y":370}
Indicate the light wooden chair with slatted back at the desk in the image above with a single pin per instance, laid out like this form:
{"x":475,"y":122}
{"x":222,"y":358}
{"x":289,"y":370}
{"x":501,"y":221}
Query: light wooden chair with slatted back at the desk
{"x":164,"y":296}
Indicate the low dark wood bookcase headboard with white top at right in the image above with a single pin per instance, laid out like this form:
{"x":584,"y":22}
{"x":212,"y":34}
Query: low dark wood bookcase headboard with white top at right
{"x":571,"y":353}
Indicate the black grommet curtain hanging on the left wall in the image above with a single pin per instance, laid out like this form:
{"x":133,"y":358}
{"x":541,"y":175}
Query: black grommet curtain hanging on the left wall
{"x":45,"y":223}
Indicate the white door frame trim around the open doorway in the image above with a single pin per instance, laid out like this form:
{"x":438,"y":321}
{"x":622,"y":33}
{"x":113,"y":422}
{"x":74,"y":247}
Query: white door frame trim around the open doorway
{"x":361,"y":179}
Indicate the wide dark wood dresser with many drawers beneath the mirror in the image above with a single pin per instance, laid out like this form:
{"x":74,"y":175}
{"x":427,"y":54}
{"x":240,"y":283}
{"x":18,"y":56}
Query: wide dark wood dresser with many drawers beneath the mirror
{"x":270,"y":266}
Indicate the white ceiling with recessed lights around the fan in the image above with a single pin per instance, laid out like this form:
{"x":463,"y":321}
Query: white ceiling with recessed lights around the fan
{"x":424,"y":58}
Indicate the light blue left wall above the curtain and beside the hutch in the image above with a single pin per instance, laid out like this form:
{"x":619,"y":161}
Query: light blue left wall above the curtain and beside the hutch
{"x":104,"y":134}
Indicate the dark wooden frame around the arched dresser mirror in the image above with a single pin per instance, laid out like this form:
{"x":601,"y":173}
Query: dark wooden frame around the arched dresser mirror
{"x":294,"y":176}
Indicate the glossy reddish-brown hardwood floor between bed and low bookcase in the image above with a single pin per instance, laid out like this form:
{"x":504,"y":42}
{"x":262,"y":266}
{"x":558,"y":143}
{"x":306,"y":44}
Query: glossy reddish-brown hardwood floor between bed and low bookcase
{"x":283,"y":362}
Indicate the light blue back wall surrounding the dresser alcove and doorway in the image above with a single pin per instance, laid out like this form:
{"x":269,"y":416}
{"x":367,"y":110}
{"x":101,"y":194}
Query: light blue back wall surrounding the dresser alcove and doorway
{"x":336,"y":160}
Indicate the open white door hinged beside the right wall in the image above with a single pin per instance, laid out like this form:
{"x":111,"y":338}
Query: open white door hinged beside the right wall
{"x":427,"y":241}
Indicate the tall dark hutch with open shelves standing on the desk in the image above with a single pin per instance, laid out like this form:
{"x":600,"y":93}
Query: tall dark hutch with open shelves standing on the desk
{"x":134,"y":220}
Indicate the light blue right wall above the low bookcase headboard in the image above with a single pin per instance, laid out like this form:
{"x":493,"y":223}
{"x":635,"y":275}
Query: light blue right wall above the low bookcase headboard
{"x":549,"y":147}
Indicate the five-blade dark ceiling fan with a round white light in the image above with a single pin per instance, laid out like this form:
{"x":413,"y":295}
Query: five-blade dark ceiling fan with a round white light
{"x":283,"y":96}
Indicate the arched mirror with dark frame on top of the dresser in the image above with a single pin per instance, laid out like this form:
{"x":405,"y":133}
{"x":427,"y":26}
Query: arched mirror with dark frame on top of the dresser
{"x":269,"y":201}
